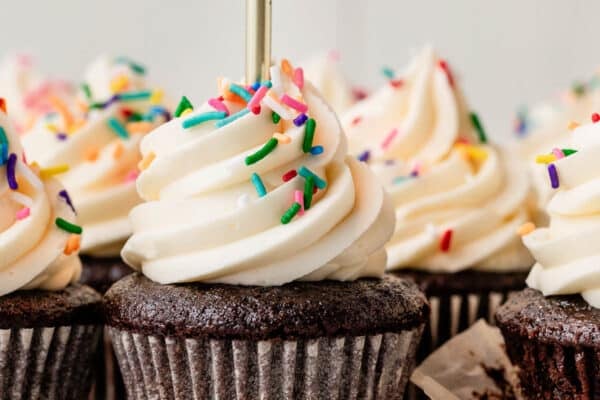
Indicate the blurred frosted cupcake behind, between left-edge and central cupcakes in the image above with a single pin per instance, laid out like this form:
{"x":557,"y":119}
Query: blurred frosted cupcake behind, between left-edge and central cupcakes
{"x":95,"y":137}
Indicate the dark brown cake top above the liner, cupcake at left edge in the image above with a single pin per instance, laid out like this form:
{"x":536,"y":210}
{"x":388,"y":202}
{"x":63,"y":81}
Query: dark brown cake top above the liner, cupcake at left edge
{"x":75,"y":305}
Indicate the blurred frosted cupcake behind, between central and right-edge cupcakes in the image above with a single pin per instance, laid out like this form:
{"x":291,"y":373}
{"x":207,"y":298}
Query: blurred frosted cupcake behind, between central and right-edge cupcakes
{"x":459,"y":200}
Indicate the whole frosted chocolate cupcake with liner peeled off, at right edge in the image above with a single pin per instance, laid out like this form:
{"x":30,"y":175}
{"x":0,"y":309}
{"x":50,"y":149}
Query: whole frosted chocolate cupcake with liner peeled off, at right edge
{"x":552,"y":330}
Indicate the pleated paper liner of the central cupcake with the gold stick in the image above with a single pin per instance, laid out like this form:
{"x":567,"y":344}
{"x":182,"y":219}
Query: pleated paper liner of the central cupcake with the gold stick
{"x":350,"y":367}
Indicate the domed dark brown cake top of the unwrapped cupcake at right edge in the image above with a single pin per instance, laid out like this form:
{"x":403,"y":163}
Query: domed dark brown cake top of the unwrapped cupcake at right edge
{"x":566,"y":320}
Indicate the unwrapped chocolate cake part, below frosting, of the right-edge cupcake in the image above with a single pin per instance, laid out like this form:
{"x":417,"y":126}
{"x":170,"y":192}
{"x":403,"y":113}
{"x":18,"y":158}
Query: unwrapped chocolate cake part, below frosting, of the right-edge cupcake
{"x":555,"y":342}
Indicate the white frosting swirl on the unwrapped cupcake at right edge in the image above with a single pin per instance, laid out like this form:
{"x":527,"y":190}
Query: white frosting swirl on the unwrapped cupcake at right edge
{"x":568,"y":251}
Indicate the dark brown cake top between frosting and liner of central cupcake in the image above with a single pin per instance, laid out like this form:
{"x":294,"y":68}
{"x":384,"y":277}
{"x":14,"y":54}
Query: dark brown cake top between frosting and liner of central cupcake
{"x":295,"y":310}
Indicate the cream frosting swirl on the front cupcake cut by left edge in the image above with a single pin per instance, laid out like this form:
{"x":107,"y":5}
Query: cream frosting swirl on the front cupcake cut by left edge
{"x":32,"y":248}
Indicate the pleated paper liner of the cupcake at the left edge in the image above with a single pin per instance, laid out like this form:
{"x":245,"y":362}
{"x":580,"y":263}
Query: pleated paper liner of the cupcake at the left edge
{"x":49,"y":363}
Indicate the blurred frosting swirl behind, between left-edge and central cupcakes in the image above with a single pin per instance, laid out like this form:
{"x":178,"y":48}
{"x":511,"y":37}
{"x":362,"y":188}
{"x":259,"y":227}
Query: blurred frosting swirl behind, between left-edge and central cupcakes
{"x":102,"y":164}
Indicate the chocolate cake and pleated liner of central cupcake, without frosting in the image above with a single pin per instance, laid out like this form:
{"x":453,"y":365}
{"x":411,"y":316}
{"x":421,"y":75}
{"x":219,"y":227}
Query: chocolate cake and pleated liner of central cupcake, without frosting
{"x":302,"y":340}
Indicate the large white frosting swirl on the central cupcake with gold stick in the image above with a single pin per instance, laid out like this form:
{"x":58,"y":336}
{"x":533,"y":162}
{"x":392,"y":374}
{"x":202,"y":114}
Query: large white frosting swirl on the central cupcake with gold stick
{"x":204,"y":221}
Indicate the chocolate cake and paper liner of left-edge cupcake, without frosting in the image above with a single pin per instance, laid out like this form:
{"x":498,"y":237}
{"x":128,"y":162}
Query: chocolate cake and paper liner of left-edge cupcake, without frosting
{"x":47,"y":342}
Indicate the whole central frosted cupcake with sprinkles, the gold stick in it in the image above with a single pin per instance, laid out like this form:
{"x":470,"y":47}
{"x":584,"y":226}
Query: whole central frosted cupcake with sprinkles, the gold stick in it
{"x":262,"y":247}
